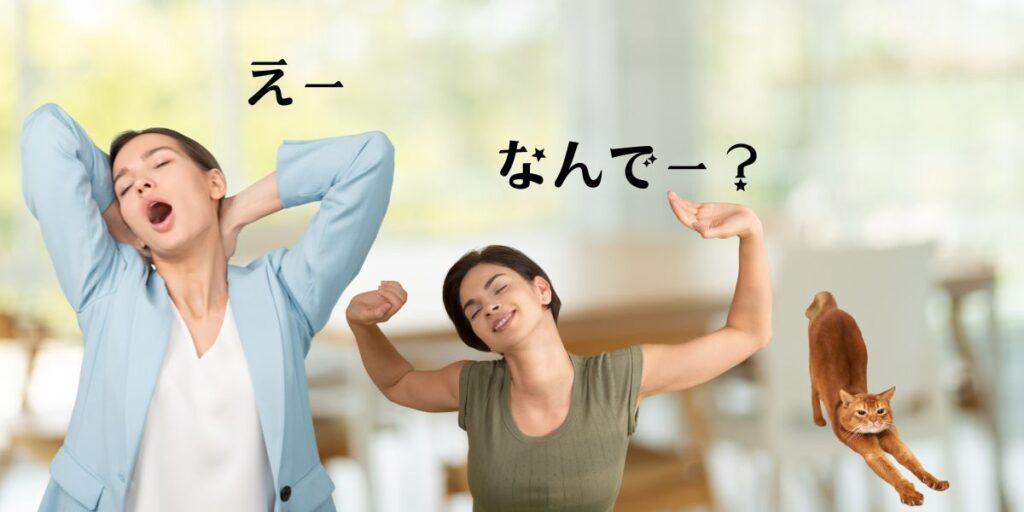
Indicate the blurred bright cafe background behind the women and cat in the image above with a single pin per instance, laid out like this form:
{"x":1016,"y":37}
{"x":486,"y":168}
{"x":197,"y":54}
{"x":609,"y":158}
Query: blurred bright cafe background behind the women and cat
{"x":889,"y":159}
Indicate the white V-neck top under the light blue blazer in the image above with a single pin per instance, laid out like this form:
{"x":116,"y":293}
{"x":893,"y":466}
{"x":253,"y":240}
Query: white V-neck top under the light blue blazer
{"x":202,"y":447}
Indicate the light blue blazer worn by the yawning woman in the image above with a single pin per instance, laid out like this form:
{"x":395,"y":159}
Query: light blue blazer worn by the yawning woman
{"x":280,"y":302}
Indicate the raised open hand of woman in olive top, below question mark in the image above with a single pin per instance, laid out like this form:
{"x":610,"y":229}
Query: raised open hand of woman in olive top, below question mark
{"x":716,"y":221}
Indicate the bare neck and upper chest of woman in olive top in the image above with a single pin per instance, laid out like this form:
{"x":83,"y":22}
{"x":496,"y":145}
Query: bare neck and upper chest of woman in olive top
{"x":541,"y":370}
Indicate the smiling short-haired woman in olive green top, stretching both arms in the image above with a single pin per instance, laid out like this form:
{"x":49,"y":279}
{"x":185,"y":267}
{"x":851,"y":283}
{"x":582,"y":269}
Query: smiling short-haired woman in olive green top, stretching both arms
{"x":548,"y":430}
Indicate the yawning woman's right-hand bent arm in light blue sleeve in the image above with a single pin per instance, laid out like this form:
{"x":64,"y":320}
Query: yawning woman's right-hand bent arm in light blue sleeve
{"x":351,"y":177}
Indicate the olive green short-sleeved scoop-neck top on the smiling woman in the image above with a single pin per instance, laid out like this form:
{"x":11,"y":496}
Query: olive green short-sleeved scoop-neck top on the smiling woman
{"x":579,"y":466}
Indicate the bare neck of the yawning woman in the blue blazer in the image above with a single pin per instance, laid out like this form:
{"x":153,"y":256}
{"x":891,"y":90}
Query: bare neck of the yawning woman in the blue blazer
{"x":197,"y":279}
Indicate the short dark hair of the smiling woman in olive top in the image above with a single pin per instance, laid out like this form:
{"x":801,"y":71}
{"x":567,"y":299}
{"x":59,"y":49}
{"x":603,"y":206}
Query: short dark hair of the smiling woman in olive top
{"x":500,"y":255}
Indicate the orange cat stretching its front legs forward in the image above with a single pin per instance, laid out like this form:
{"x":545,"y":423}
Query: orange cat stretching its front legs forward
{"x":863,"y":421}
